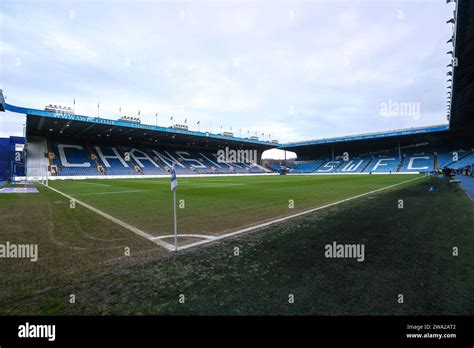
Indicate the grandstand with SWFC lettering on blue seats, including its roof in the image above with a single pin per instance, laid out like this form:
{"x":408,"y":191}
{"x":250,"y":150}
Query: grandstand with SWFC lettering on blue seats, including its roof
{"x":405,"y":151}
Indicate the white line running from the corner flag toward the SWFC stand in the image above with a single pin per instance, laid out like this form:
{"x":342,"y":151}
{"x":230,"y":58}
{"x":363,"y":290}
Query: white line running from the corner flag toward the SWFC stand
{"x":265,"y":224}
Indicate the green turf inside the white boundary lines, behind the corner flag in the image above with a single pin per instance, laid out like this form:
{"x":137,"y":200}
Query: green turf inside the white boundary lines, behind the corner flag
{"x":214,"y":205}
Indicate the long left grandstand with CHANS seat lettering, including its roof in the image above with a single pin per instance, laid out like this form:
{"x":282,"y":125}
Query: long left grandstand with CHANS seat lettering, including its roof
{"x":65,"y":146}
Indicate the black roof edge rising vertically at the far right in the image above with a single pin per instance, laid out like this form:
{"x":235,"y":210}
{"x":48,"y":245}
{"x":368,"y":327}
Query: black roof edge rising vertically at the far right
{"x":462,"y":87}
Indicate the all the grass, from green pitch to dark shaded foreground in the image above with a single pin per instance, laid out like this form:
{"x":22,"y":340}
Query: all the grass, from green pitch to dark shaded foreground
{"x":408,"y":251}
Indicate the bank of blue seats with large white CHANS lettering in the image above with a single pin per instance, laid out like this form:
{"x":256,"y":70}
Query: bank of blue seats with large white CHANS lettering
{"x":79,"y":160}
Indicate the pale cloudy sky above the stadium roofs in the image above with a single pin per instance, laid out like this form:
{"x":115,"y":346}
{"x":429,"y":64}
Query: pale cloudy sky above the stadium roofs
{"x":294,"y":69}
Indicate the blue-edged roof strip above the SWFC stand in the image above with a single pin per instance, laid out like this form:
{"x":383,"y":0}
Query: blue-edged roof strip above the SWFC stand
{"x":367,"y":136}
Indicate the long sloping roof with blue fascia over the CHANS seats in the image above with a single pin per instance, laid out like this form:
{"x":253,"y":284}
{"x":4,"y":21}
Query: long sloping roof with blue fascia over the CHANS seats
{"x":58,"y":124}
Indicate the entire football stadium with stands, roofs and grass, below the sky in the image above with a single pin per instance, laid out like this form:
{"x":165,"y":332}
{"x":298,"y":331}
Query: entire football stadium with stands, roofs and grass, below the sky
{"x":106,"y":215}
